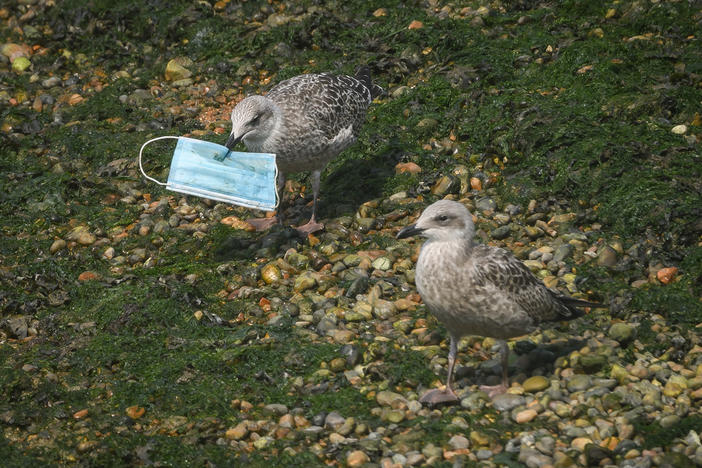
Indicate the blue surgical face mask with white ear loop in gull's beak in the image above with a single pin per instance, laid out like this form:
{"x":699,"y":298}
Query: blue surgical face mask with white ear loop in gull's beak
{"x":212,"y":171}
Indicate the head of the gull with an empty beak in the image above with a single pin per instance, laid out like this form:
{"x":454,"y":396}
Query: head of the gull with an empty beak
{"x":444,"y":220}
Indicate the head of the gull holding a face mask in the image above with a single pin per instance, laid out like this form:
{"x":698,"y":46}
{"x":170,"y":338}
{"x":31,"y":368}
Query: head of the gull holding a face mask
{"x":253,"y":120}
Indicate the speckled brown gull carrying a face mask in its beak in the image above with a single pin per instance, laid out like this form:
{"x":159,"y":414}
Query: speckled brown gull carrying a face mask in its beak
{"x":306,"y":121}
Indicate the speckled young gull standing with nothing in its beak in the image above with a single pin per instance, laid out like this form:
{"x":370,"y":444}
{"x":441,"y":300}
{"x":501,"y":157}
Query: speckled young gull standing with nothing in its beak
{"x":476,"y":289}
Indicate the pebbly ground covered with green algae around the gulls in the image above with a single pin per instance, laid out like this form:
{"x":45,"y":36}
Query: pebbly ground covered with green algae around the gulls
{"x":142,"y":327}
